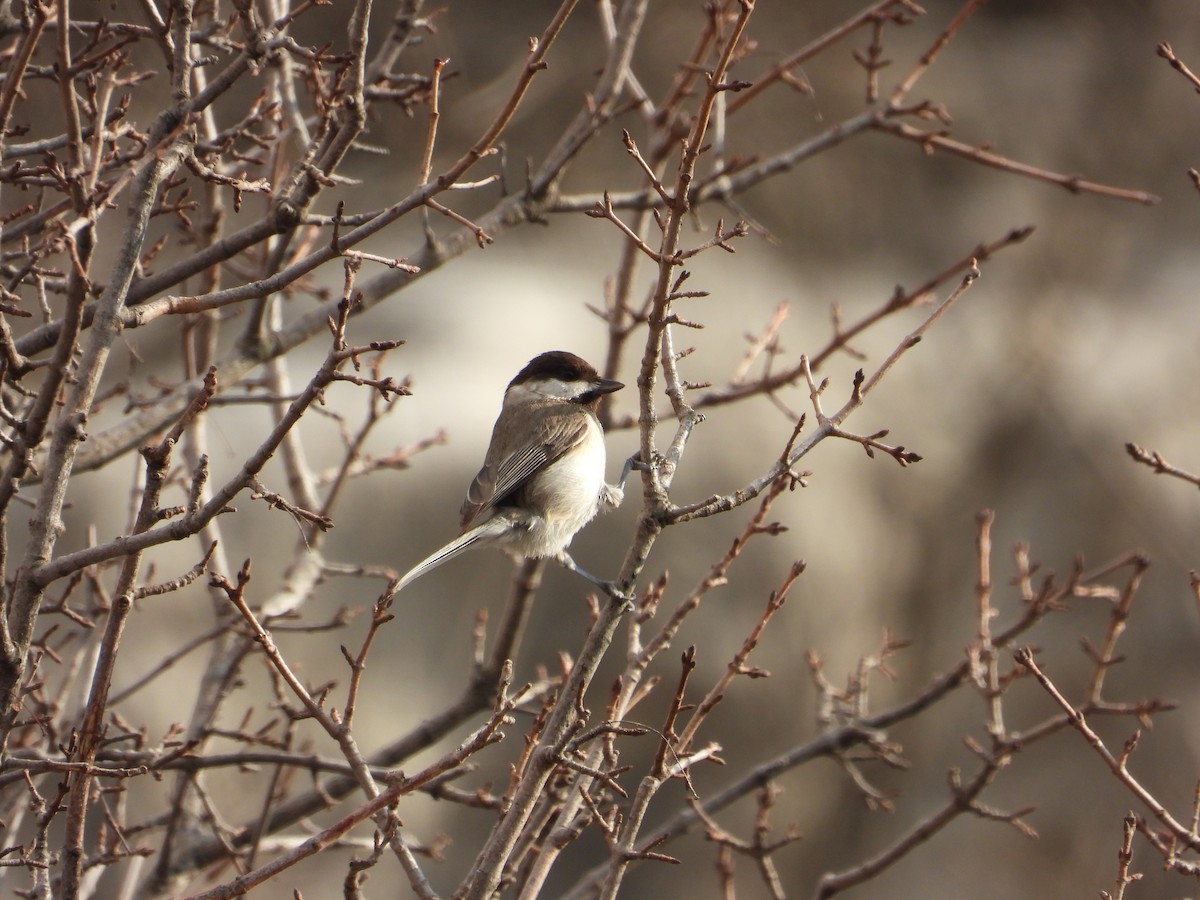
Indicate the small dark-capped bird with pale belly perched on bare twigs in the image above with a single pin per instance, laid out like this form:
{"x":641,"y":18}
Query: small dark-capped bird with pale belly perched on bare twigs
{"x":544,"y":473}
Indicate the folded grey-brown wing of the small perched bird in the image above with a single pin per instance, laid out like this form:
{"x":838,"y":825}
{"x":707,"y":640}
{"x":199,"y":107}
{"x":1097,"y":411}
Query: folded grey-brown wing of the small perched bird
{"x":556,"y":430}
